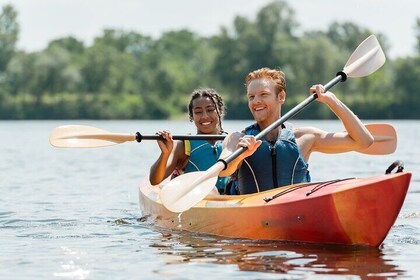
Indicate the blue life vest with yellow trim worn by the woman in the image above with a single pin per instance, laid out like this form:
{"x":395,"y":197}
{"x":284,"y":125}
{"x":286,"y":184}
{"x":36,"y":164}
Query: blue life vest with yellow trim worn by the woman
{"x":202,"y":156}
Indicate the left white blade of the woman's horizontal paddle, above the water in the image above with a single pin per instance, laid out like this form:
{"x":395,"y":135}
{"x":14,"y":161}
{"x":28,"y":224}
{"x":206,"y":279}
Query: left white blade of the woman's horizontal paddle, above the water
{"x":82,"y":136}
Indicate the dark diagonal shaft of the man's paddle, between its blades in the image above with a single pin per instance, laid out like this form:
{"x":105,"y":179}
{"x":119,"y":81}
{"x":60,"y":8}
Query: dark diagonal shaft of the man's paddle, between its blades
{"x":341,"y":77}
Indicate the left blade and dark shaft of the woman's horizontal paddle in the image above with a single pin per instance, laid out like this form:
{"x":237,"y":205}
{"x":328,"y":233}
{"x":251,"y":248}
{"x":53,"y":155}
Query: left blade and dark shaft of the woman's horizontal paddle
{"x":83,"y":136}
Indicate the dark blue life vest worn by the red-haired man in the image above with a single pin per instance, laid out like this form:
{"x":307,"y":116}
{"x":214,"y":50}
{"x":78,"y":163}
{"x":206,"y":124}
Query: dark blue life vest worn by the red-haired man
{"x":272,"y":165}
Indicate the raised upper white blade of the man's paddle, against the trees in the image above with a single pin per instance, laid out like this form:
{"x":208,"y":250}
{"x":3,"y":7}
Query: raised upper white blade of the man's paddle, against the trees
{"x":366,"y":59}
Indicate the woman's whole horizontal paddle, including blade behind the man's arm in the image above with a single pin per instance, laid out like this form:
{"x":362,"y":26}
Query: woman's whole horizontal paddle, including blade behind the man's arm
{"x":83,"y":136}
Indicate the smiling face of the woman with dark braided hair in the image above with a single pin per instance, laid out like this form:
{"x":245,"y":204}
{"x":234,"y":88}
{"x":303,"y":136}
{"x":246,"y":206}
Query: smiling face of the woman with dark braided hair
{"x":205,"y":116}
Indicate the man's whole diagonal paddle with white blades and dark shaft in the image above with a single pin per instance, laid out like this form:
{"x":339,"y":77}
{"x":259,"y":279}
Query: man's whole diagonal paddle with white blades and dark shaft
{"x":186,"y":190}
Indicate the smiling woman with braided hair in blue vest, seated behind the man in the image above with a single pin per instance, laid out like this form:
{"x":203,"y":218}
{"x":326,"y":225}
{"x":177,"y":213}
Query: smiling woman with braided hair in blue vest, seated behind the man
{"x":206,"y":110}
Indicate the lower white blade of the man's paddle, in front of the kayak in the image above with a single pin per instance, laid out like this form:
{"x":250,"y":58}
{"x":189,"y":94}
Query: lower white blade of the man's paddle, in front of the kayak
{"x":185,"y":191}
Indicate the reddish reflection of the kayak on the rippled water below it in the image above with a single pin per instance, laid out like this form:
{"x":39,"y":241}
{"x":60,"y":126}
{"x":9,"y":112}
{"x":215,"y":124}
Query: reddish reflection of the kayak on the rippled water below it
{"x":275,"y":257}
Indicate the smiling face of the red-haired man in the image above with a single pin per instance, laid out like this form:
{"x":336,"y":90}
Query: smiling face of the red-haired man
{"x":263,"y":102}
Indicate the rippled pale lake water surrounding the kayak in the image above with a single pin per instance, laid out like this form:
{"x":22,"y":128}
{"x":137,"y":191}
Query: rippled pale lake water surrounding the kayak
{"x":74,"y":214}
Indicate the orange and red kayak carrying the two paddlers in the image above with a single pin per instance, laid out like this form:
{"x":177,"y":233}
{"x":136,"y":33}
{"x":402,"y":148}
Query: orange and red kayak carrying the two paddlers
{"x":353,"y":211}
